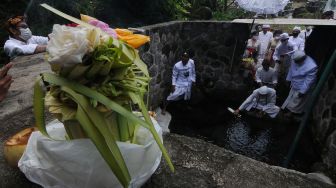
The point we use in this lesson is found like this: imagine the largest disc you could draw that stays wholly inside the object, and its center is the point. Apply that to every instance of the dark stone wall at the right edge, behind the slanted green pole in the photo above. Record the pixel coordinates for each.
(324, 125)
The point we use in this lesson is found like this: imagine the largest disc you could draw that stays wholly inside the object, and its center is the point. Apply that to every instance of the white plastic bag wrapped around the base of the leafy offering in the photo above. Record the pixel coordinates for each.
(77, 163)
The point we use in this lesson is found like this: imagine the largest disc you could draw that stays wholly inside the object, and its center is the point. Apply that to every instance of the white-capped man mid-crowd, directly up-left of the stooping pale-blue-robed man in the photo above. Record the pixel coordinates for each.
(283, 53)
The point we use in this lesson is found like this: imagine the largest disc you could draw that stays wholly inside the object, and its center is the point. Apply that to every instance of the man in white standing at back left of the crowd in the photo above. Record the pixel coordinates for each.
(265, 37)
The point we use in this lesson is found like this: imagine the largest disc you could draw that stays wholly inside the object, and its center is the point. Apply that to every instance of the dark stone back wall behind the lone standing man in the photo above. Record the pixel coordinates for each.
(216, 48)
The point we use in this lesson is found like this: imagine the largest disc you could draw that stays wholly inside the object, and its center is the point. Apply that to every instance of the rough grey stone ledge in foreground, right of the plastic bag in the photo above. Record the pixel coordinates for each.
(201, 164)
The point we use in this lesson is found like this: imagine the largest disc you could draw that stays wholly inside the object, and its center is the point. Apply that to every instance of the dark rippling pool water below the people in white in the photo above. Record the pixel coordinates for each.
(259, 139)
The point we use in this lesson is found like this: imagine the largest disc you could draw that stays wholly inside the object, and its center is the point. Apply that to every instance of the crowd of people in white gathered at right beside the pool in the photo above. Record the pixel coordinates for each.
(277, 54)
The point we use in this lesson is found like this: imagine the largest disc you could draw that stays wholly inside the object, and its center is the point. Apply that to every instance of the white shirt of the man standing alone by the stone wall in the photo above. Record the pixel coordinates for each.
(184, 75)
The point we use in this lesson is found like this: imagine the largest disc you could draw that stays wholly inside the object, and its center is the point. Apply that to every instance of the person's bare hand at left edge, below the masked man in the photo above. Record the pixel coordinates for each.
(5, 81)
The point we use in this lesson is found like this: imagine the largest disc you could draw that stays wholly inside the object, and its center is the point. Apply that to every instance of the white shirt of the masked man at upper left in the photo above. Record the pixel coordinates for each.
(14, 47)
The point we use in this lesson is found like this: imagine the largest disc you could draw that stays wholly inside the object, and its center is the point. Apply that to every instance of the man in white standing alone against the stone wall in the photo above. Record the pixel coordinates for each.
(183, 78)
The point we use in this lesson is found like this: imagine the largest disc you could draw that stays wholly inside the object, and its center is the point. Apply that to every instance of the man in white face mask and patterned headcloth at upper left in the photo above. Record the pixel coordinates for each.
(21, 41)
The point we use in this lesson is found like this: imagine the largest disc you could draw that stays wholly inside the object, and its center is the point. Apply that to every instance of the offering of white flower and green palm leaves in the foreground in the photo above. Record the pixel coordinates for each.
(97, 83)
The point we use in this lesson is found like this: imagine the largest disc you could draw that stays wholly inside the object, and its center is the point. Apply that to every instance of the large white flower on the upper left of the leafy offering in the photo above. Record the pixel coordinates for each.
(68, 45)
